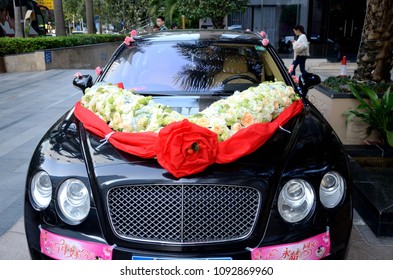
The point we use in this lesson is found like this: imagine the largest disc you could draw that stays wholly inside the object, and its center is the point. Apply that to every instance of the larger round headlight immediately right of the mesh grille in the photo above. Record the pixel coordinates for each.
(296, 200)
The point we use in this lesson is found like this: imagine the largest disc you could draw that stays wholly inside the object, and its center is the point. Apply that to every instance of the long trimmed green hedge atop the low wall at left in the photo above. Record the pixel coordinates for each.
(32, 44)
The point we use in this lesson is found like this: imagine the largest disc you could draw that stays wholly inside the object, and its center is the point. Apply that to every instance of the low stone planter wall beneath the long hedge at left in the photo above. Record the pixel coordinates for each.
(80, 57)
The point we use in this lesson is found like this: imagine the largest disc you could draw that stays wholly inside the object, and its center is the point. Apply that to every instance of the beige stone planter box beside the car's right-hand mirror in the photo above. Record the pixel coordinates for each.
(332, 105)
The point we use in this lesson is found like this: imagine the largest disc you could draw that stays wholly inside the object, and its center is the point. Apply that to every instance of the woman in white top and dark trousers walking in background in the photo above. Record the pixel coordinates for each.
(301, 51)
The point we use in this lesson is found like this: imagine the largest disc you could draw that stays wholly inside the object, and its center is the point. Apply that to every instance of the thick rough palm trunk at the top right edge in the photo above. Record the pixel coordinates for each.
(374, 61)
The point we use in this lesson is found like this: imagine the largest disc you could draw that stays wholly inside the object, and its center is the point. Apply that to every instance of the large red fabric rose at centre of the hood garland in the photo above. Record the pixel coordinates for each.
(184, 148)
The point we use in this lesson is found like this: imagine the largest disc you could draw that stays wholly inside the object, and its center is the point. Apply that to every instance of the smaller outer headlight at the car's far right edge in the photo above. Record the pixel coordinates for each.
(331, 190)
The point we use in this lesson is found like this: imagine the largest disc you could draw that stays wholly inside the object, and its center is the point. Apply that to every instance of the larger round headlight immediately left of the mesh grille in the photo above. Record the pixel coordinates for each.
(74, 201)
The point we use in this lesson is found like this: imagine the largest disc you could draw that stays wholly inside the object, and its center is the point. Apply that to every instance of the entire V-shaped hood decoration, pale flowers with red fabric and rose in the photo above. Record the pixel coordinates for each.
(225, 131)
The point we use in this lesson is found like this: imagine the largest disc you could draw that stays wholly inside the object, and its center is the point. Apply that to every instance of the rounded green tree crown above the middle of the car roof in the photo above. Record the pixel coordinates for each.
(216, 10)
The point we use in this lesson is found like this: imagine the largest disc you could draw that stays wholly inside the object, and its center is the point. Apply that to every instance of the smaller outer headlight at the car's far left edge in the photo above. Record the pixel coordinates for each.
(40, 190)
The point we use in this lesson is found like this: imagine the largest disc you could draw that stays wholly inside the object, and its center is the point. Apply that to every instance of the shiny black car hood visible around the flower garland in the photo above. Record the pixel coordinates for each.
(112, 166)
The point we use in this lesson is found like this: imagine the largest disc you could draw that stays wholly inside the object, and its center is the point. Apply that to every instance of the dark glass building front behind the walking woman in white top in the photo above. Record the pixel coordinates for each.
(333, 27)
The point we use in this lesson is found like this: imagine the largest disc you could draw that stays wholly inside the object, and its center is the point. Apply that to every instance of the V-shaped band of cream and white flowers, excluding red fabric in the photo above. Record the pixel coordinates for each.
(126, 111)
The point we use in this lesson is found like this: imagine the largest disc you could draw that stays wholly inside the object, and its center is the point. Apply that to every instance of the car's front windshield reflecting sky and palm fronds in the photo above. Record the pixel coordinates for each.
(175, 68)
